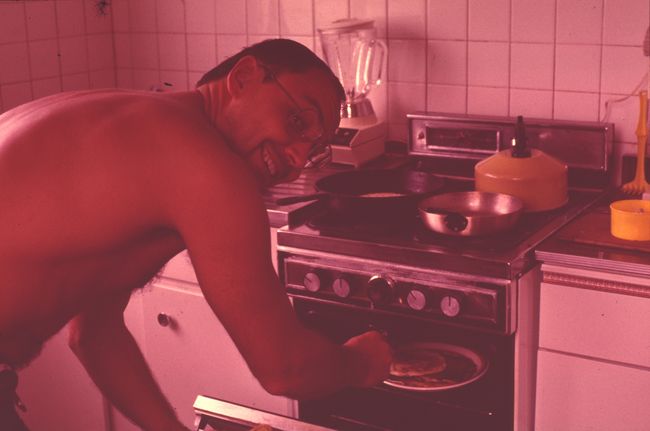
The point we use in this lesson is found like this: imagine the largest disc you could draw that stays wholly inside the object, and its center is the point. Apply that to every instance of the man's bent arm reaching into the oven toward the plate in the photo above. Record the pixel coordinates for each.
(223, 222)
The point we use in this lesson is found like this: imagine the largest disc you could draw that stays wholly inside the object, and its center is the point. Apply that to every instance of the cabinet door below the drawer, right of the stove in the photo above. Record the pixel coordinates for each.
(575, 393)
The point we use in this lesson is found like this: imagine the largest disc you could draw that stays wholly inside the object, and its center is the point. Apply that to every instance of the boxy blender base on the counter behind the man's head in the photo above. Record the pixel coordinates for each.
(359, 144)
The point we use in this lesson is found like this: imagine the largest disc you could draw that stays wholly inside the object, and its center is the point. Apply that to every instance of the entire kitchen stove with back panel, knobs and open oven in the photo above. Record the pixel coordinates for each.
(347, 273)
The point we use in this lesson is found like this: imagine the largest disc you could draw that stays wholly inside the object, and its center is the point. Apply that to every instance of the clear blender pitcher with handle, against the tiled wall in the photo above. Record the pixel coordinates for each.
(357, 57)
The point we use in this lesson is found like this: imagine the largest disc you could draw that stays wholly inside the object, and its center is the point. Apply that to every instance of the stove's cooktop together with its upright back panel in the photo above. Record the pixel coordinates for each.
(440, 144)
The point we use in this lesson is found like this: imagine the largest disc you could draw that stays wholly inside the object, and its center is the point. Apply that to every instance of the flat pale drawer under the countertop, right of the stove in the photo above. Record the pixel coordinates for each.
(594, 323)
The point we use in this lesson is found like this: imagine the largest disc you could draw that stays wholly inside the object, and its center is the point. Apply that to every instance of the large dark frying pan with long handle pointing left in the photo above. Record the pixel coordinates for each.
(372, 190)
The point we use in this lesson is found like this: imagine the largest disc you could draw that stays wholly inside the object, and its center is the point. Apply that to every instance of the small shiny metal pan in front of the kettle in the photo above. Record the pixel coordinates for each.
(470, 213)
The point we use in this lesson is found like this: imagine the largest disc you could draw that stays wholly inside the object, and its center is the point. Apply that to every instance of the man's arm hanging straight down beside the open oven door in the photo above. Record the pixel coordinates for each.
(106, 348)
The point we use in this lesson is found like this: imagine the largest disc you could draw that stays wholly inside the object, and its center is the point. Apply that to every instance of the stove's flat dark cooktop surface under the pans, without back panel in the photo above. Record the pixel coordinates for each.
(409, 242)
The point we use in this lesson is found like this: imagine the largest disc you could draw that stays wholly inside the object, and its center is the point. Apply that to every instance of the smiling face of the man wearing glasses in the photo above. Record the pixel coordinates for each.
(263, 123)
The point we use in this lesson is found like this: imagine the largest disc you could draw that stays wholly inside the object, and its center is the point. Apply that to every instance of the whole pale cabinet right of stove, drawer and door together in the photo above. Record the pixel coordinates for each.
(593, 370)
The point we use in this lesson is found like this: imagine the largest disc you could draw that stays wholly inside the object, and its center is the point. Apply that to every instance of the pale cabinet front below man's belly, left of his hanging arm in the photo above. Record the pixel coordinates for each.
(57, 391)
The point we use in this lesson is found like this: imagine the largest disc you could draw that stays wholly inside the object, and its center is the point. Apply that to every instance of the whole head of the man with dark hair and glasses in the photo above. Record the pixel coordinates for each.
(277, 102)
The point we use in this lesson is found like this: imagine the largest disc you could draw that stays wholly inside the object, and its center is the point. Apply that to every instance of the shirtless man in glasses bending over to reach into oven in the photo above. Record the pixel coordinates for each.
(99, 189)
